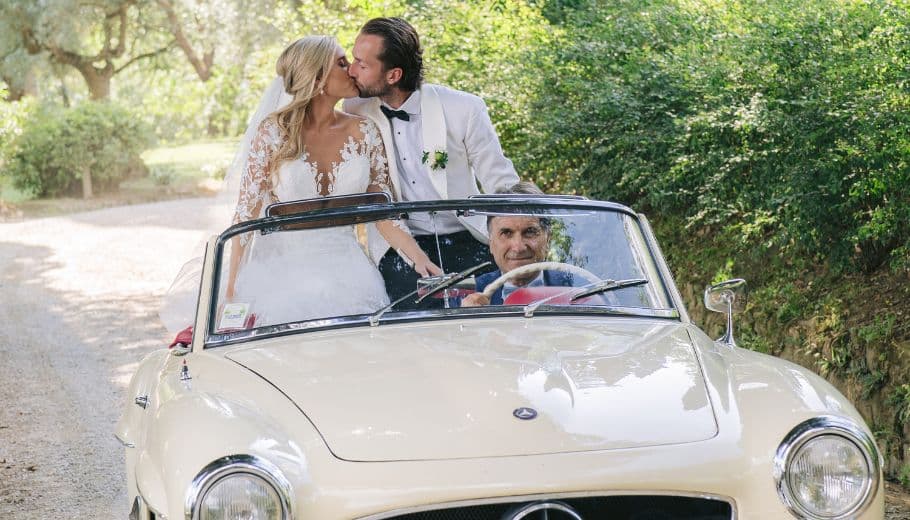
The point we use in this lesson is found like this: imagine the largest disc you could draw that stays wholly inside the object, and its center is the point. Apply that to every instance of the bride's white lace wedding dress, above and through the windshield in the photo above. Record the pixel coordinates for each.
(310, 274)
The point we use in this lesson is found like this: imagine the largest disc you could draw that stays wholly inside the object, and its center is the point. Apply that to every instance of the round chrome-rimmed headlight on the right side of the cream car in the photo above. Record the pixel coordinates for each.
(827, 468)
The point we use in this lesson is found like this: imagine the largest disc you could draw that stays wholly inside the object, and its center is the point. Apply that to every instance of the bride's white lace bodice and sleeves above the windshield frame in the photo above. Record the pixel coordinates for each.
(363, 167)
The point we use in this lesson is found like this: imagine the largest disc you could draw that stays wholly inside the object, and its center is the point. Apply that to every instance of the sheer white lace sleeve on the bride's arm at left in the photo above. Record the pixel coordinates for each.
(255, 183)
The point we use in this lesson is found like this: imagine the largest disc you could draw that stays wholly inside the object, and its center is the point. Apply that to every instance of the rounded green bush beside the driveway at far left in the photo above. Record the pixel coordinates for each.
(57, 147)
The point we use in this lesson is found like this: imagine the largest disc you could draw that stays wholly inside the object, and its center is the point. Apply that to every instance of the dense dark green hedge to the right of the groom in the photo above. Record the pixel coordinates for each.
(785, 122)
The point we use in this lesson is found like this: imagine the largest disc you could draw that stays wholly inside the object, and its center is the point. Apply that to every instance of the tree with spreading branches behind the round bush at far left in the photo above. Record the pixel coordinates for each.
(98, 38)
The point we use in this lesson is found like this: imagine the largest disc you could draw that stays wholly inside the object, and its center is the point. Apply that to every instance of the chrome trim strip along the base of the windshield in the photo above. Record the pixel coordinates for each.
(218, 340)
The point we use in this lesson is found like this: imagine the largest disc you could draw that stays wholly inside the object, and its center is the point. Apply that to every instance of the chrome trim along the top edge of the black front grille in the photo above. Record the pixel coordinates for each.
(552, 496)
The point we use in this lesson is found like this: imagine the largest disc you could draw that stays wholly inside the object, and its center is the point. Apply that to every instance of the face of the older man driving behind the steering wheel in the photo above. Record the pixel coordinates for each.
(518, 241)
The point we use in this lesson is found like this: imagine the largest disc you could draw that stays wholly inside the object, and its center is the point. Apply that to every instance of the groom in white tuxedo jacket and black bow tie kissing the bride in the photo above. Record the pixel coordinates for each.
(440, 144)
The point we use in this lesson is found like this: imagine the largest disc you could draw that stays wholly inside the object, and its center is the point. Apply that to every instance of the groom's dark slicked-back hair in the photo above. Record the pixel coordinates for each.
(400, 48)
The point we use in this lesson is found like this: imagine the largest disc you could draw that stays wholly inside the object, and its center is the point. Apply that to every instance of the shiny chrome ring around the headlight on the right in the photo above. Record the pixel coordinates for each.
(816, 427)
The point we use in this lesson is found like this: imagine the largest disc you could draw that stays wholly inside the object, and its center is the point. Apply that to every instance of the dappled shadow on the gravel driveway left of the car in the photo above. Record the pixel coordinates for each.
(65, 359)
